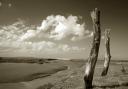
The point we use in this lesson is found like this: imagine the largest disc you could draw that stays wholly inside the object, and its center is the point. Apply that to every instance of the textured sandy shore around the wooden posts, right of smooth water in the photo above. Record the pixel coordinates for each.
(72, 77)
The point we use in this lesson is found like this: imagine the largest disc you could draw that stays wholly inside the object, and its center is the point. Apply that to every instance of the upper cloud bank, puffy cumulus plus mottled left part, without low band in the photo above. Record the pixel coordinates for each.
(53, 27)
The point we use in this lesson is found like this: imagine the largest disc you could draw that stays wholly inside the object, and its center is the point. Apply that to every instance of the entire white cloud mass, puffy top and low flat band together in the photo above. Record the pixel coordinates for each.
(19, 37)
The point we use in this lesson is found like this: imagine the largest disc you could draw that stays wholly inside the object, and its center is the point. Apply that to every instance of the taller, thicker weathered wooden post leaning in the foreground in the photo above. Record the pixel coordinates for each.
(90, 66)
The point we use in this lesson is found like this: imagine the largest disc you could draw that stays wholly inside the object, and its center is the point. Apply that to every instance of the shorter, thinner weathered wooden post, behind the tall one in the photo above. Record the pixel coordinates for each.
(107, 53)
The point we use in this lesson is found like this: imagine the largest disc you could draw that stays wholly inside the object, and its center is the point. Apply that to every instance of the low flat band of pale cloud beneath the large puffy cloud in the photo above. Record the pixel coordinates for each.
(43, 47)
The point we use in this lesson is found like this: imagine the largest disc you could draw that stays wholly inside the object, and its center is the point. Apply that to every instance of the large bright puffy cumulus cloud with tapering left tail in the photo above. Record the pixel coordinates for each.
(57, 28)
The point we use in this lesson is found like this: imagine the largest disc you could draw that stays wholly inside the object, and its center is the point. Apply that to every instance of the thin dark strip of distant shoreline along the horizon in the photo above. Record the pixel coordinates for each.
(44, 60)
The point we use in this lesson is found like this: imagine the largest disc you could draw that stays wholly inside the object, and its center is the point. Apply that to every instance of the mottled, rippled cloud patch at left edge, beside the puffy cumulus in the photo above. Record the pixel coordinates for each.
(14, 31)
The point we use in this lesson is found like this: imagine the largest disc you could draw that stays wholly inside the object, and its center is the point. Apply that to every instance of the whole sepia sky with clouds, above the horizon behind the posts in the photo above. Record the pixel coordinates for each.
(60, 28)
